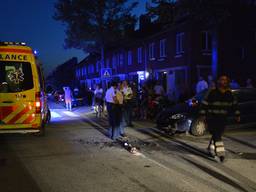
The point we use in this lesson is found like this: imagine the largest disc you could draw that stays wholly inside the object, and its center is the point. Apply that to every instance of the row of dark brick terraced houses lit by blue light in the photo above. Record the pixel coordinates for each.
(176, 55)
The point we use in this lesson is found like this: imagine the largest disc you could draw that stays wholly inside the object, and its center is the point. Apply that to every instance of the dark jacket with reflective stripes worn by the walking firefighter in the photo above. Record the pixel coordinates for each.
(219, 104)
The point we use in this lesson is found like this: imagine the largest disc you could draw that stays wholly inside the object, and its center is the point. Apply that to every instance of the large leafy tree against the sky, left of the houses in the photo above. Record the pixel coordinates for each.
(91, 25)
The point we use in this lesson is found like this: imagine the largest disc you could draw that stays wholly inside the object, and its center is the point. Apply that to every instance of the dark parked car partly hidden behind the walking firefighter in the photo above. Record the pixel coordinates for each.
(185, 116)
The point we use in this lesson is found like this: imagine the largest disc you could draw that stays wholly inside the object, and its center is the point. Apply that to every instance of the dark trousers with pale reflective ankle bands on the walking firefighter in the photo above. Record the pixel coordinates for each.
(216, 128)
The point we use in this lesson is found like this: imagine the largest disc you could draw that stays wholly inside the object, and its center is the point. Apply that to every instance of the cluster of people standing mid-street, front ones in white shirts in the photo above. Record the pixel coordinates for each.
(124, 101)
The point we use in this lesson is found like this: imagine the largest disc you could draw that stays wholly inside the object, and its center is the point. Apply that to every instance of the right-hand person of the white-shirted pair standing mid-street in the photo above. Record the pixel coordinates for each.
(128, 105)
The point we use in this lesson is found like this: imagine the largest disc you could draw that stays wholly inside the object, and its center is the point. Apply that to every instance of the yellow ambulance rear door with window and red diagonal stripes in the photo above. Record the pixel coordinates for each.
(17, 95)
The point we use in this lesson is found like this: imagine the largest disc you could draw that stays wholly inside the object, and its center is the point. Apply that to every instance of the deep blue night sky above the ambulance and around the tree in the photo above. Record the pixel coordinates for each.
(31, 21)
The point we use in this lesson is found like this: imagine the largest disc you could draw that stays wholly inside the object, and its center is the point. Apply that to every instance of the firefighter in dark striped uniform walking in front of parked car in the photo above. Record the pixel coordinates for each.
(216, 106)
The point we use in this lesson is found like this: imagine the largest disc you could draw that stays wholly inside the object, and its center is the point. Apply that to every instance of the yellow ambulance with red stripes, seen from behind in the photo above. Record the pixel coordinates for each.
(23, 102)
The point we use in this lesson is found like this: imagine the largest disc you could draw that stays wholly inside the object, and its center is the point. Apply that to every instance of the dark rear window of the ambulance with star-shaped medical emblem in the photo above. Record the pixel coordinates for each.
(15, 77)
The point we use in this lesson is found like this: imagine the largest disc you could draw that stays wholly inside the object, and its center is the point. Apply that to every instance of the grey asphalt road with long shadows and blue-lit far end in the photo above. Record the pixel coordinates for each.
(76, 155)
